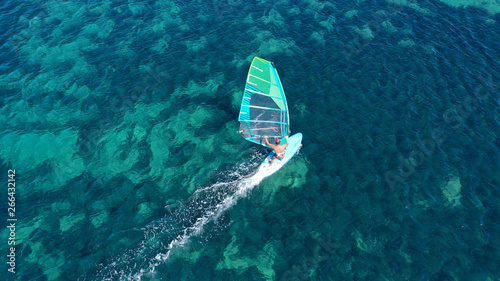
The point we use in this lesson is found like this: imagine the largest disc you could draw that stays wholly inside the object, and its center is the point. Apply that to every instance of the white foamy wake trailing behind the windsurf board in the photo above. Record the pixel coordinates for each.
(206, 205)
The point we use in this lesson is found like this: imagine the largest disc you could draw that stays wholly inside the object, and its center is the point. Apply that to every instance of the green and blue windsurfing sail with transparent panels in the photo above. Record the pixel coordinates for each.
(264, 111)
